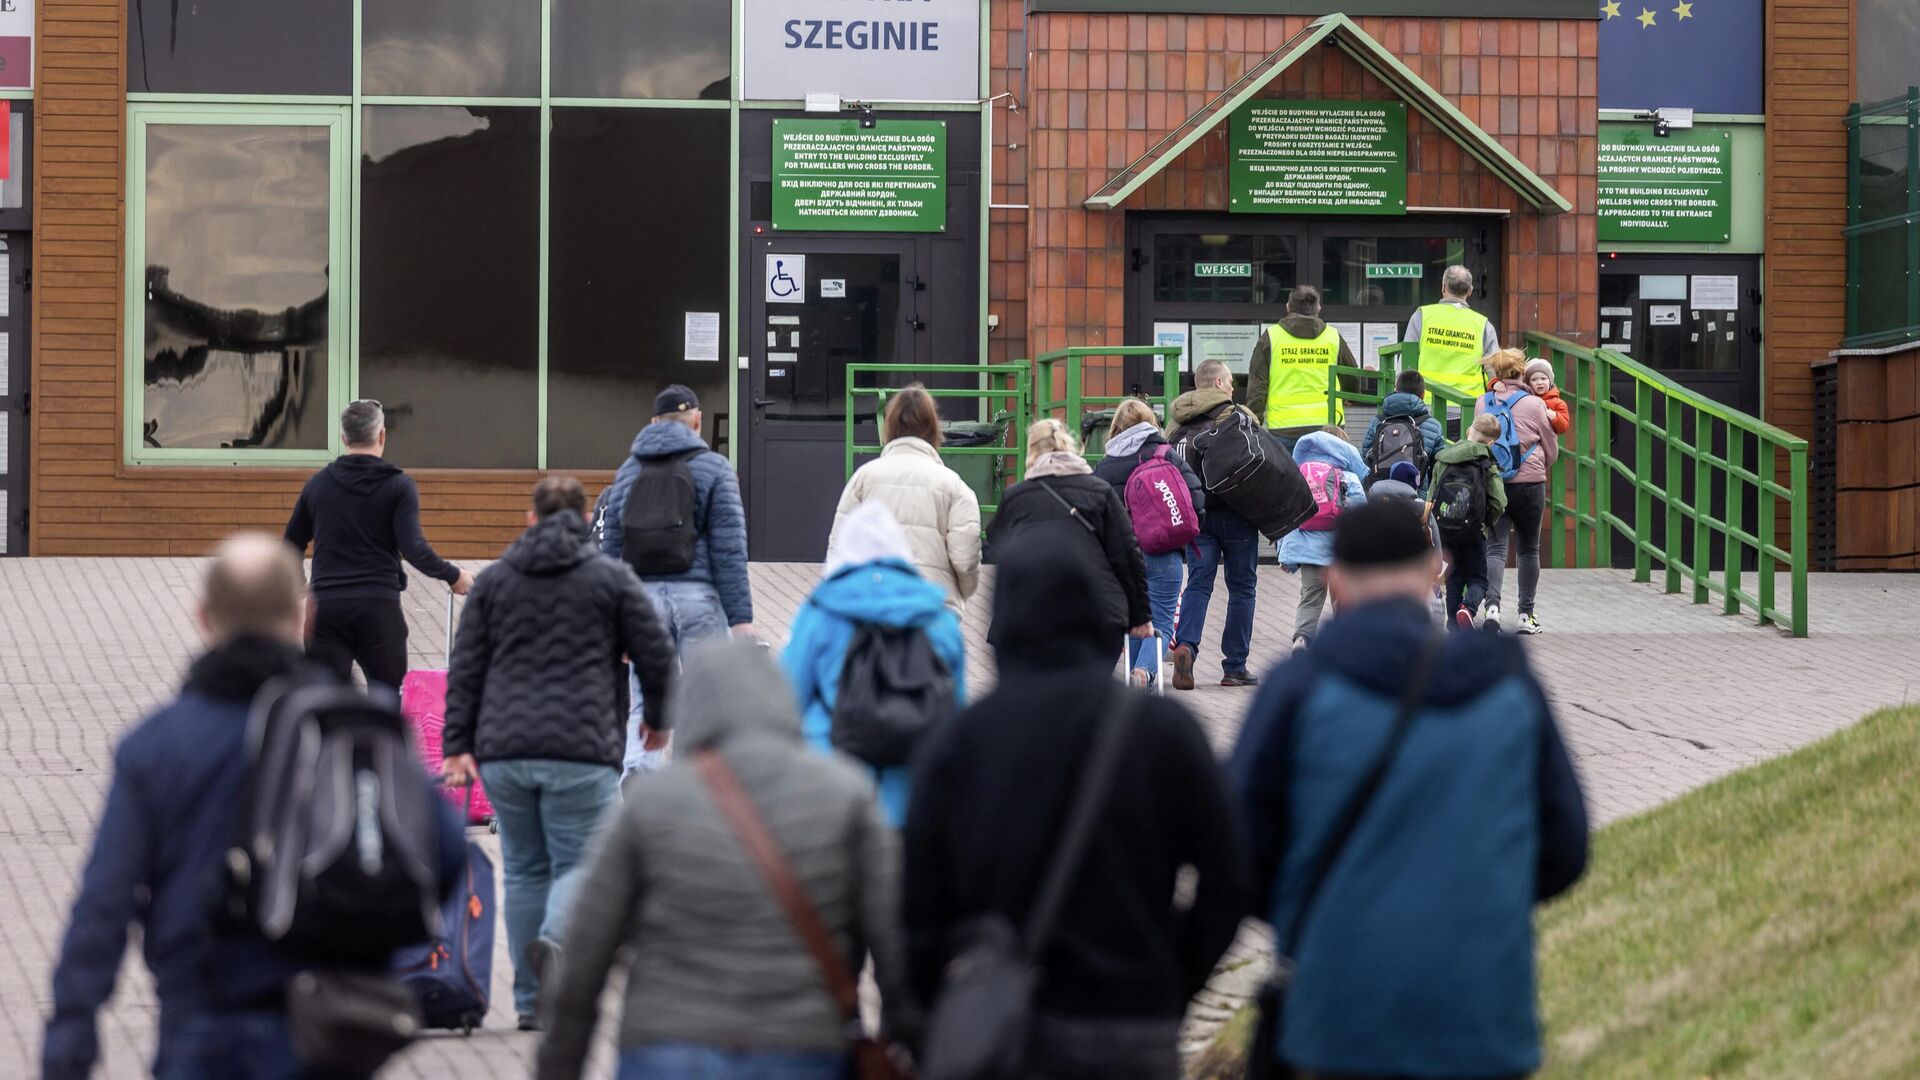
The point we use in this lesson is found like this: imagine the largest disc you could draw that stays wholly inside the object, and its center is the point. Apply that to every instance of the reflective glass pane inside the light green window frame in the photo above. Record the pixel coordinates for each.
(237, 282)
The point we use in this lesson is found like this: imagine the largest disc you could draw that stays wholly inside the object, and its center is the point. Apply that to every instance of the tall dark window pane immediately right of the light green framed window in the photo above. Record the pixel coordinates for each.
(450, 285)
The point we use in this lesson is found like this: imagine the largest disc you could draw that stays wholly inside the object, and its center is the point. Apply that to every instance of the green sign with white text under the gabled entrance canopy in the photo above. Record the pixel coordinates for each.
(1320, 159)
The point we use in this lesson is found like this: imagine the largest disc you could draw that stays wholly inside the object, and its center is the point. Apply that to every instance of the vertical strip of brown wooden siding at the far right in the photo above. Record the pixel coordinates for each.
(1810, 87)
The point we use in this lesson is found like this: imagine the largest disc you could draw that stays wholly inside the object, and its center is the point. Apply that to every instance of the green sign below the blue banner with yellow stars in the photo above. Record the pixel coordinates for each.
(1666, 189)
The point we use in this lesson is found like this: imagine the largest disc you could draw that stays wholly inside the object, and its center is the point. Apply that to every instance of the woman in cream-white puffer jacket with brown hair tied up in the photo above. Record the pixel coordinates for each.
(938, 510)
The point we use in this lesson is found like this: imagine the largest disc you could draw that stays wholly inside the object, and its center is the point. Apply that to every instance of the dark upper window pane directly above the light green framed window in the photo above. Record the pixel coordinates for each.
(241, 47)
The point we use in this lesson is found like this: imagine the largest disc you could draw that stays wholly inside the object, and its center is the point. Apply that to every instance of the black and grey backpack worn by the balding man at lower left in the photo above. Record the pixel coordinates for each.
(339, 835)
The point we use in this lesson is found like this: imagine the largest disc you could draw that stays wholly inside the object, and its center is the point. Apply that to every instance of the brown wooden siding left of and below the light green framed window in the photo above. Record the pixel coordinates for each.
(84, 501)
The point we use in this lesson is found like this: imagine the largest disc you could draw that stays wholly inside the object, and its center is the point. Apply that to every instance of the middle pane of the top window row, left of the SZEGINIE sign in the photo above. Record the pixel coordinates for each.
(454, 49)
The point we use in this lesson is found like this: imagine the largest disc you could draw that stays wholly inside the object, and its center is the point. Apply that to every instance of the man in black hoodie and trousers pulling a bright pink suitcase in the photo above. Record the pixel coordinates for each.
(362, 516)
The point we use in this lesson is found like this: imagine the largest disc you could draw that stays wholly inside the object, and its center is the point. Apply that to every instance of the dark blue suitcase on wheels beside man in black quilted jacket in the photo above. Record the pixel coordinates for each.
(454, 975)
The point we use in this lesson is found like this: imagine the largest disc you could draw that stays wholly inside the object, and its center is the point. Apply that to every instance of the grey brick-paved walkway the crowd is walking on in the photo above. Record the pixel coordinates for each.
(1656, 699)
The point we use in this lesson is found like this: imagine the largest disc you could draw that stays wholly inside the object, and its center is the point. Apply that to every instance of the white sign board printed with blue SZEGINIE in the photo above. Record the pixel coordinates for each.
(921, 51)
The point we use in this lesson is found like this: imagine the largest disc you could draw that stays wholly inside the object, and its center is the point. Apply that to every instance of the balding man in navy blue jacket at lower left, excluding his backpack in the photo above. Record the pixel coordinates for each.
(162, 843)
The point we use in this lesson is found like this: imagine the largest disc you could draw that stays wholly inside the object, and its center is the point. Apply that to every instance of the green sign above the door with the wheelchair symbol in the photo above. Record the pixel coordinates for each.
(834, 176)
